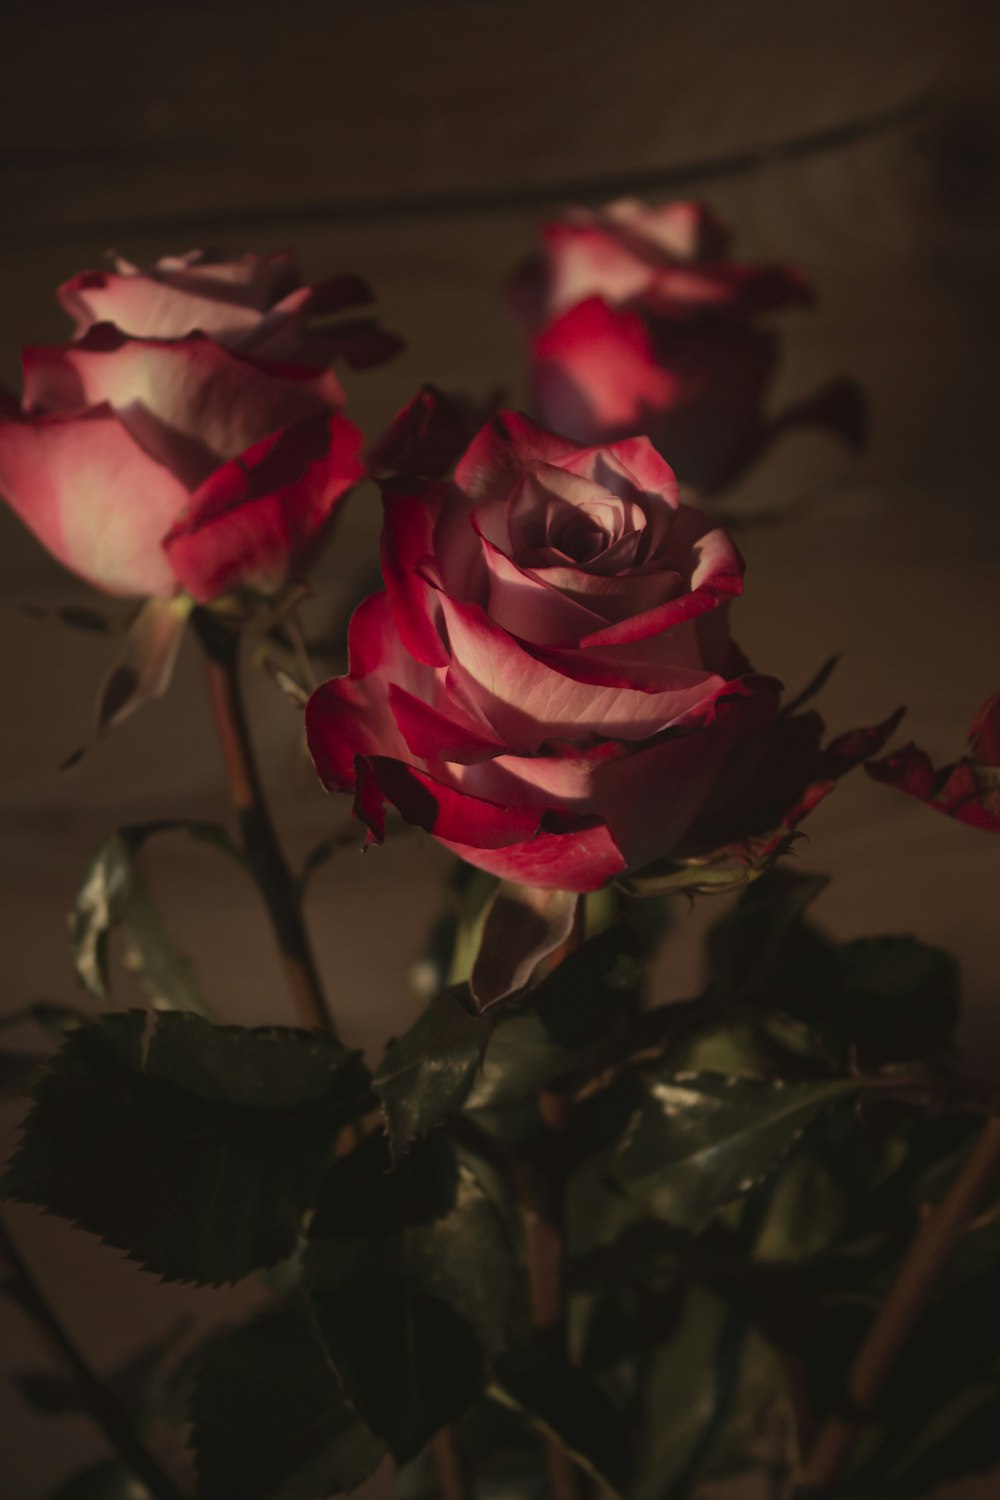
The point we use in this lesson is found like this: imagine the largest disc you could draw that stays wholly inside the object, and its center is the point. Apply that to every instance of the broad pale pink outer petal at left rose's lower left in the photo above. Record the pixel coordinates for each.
(94, 497)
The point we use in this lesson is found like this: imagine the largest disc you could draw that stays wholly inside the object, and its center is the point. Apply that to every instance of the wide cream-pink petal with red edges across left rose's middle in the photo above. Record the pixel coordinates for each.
(190, 403)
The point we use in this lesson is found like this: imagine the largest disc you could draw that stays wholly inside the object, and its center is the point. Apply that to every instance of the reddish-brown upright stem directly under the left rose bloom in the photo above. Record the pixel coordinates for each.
(260, 841)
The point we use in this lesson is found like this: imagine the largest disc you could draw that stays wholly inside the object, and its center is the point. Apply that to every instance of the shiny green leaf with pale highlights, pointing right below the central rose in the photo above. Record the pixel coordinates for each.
(689, 1145)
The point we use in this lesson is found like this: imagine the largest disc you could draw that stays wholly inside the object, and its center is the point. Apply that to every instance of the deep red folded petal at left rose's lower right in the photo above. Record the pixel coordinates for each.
(259, 521)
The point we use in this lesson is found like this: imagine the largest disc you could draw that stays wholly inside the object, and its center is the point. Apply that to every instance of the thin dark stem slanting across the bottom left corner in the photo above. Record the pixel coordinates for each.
(95, 1396)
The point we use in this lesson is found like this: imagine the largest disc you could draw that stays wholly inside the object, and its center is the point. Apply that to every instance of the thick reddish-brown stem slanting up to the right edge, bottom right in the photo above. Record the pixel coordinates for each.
(936, 1241)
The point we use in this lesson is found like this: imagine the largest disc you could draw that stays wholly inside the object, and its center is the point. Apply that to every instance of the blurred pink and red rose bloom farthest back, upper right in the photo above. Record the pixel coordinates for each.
(639, 322)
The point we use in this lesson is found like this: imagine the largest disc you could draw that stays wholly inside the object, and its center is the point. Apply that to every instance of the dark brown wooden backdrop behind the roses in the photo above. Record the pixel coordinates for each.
(353, 133)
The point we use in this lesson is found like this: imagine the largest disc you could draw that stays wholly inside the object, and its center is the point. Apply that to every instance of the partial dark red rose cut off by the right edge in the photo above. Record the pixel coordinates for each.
(968, 790)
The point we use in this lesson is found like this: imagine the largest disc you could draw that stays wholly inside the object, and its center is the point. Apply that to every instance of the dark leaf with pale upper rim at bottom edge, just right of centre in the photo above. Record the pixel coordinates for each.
(567, 1405)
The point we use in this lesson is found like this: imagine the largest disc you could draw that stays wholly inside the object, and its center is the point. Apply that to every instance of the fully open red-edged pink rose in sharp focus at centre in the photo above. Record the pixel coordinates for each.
(548, 682)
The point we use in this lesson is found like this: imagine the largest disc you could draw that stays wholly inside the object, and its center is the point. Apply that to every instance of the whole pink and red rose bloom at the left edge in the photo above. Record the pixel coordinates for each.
(164, 419)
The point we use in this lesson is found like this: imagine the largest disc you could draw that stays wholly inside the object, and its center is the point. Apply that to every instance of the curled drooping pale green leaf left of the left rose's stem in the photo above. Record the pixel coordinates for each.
(116, 896)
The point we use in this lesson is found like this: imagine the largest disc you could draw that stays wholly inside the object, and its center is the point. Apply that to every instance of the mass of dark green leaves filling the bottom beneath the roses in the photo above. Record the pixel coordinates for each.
(746, 1172)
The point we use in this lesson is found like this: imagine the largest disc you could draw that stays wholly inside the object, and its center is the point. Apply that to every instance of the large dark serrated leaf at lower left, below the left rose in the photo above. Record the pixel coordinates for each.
(197, 1150)
